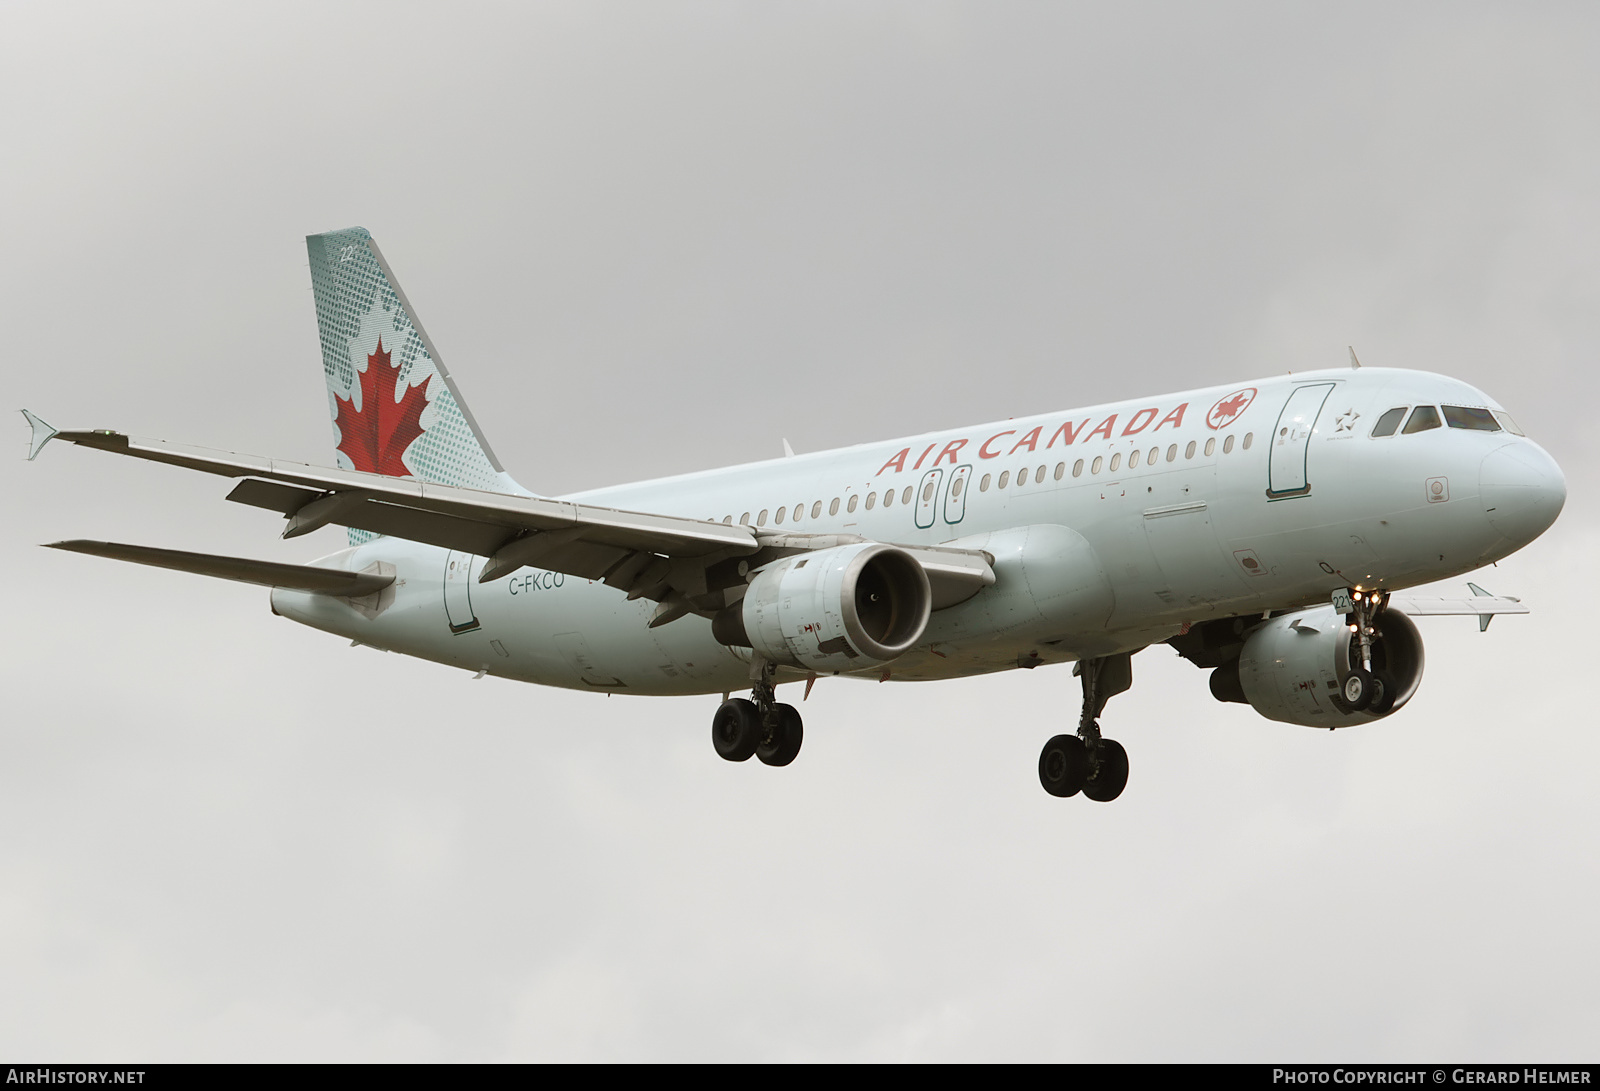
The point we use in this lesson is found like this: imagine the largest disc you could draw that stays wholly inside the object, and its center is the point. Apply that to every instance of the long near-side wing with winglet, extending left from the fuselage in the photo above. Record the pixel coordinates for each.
(687, 565)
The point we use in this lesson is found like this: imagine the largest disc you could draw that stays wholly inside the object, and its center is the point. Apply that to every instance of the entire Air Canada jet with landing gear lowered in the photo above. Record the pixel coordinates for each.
(1266, 530)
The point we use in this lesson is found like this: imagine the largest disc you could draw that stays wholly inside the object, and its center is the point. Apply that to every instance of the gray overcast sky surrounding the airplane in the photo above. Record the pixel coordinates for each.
(662, 238)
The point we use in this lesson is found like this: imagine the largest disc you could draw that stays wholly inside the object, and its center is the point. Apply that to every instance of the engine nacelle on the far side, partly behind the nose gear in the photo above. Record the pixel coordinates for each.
(1294, 668)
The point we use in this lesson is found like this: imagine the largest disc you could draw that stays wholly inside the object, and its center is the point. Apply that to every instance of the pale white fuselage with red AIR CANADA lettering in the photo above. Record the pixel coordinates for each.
(1191, 506)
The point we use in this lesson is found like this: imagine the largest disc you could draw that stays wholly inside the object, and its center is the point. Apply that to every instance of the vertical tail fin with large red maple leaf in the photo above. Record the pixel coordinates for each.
(394, 407)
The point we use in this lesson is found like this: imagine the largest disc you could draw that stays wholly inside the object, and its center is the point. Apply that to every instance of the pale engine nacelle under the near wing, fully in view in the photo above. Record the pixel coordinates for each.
(839, 609)
